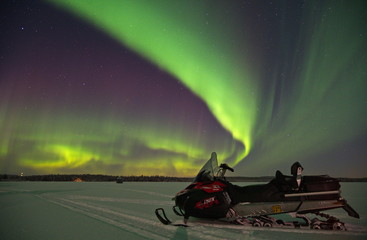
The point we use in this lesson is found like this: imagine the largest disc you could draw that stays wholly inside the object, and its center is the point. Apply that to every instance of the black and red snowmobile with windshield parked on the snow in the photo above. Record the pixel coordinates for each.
(211, 196)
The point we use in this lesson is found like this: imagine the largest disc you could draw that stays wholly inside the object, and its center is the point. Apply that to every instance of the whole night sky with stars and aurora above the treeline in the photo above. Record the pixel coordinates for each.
(153, 87)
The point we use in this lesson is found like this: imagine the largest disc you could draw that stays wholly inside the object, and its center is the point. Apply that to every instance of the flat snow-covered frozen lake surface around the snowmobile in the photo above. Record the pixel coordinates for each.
(70, 210)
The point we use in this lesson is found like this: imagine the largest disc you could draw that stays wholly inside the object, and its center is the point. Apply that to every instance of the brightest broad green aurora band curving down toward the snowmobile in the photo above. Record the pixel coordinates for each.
(170, 34)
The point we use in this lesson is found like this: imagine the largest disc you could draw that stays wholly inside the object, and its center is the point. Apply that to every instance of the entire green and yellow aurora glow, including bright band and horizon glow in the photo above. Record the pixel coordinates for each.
(306, 101)
